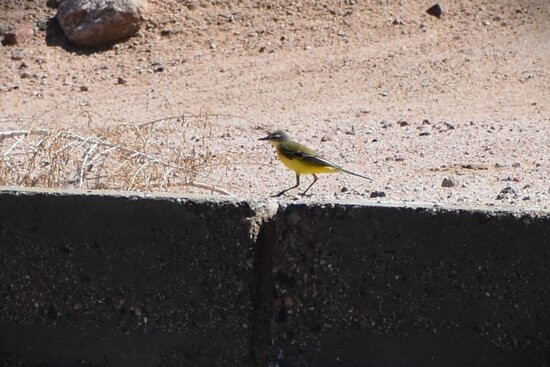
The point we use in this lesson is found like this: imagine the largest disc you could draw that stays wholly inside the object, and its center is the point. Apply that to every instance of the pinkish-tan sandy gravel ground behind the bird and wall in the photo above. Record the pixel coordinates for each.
(403, 97)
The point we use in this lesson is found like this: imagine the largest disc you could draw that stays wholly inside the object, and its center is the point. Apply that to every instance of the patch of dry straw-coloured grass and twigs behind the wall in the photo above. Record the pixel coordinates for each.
(167, 154)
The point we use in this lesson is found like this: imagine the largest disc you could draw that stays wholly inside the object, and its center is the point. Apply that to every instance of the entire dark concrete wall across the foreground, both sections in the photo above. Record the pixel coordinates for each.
(110, 280)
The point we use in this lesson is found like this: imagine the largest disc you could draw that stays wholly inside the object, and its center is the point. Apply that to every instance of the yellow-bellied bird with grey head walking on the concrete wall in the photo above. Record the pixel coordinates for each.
(302, 160)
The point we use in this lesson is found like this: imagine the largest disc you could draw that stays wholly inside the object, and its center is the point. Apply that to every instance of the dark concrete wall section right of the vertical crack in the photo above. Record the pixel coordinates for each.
(389, 286)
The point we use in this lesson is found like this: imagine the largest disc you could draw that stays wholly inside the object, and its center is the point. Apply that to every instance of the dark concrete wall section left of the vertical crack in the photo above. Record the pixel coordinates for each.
(122, 281)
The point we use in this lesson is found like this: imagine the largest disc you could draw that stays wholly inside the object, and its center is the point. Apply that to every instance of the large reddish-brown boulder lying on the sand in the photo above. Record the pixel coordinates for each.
(94, 23)
